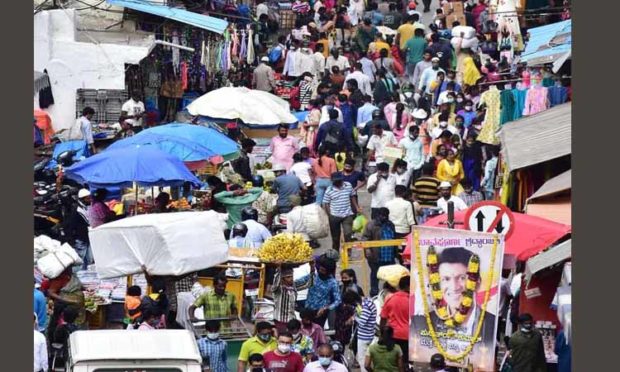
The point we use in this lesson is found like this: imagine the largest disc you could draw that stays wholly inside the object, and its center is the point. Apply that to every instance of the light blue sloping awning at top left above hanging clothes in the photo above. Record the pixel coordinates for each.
(213, 24)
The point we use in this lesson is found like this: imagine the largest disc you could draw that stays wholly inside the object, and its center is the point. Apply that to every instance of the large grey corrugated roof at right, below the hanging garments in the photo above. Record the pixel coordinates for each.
(537, 138)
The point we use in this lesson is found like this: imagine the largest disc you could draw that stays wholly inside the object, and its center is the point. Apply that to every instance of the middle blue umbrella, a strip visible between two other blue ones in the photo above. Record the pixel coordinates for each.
(180, 147)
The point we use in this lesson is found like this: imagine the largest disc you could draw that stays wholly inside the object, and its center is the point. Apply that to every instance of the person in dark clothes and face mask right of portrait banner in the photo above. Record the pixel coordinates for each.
(527, 352)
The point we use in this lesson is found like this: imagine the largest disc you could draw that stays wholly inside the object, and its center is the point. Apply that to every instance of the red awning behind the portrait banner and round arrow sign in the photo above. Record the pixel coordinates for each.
(531, 234)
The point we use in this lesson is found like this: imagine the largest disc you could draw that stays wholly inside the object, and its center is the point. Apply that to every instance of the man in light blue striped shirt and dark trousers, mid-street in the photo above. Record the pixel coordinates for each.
(338, 202)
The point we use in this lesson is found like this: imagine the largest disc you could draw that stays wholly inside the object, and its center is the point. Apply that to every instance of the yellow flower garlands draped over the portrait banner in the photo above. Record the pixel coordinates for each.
(474, 266)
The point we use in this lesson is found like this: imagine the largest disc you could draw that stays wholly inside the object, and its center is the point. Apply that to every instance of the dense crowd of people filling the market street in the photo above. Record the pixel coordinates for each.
(401, 110)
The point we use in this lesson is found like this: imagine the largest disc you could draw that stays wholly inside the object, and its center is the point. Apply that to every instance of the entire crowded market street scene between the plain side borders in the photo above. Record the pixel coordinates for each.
(302, 186)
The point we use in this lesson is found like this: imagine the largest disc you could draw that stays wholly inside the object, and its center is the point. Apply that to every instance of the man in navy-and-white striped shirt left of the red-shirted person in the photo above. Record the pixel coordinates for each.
(366, 319)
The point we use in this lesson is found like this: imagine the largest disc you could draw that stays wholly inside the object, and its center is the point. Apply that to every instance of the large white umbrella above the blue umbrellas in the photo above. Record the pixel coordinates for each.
(254, 107)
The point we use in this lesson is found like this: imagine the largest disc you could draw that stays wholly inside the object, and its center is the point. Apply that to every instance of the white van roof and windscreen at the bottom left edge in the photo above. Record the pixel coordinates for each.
(133, 351)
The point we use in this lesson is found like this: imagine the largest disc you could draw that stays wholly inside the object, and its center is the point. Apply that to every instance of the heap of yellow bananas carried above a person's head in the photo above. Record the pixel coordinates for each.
(285, 248)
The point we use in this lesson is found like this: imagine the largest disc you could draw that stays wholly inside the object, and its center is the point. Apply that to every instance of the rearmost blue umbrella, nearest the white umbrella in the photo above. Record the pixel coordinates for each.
(207, 137)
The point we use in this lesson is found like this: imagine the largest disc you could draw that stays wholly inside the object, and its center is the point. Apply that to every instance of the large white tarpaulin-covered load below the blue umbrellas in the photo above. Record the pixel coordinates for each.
(166, 244)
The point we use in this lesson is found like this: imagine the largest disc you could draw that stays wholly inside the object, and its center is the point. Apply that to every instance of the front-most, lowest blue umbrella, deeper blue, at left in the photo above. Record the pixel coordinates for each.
(143, 165)
